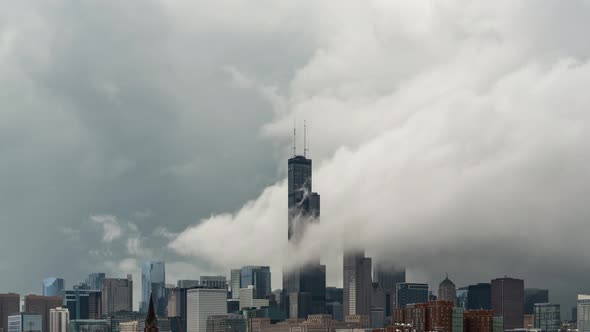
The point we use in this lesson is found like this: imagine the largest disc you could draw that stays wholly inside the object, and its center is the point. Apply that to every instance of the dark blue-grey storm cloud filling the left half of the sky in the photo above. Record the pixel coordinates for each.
(124, 112)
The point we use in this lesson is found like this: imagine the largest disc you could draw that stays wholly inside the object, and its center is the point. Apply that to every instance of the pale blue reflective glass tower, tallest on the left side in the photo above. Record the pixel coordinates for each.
(153, 281)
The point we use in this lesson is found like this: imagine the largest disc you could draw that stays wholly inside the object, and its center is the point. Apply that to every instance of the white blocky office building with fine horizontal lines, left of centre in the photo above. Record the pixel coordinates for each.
(202, 303)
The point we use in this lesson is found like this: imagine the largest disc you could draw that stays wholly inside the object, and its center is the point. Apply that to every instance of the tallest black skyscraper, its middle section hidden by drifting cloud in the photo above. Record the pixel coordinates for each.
(304, 208)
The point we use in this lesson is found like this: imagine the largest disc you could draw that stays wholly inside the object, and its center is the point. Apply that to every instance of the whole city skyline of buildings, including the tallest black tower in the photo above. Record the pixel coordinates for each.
(373, 297)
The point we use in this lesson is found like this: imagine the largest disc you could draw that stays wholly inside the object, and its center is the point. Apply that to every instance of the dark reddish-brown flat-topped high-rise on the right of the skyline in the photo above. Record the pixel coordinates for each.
(508, 301)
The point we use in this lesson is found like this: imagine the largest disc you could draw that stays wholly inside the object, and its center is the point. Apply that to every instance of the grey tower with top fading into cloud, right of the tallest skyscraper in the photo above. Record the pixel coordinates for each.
(357, 283)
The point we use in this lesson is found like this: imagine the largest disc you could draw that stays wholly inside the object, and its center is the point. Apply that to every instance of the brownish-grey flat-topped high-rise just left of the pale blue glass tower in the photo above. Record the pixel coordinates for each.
(117, 295)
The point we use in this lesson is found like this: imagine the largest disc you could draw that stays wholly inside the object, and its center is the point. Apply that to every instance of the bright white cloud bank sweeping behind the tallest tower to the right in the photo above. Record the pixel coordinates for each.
(445, 137)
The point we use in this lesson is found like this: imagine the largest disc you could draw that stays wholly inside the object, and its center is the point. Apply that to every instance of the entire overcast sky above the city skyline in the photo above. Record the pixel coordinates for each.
(446, 136)
